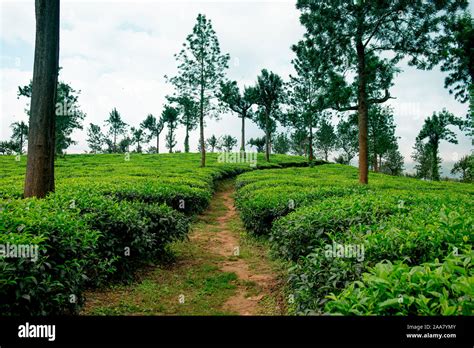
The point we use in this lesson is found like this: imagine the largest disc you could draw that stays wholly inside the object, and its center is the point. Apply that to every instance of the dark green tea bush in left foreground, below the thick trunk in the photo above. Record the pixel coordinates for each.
(53, 283)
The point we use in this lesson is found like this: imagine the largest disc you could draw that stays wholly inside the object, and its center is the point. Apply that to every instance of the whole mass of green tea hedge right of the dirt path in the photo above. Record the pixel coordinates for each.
(396, 224)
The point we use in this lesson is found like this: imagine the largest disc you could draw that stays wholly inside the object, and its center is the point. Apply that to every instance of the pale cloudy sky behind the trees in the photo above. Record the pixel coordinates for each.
(118, 52)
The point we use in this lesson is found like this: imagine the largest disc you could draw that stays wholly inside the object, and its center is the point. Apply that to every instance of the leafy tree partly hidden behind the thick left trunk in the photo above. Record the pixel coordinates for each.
(68, 115)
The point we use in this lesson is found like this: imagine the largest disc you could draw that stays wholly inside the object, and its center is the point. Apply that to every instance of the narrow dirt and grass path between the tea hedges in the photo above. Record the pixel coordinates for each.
(218, 271)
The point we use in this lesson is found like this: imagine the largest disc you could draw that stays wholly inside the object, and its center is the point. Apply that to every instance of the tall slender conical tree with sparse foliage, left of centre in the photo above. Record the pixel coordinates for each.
(200, 72)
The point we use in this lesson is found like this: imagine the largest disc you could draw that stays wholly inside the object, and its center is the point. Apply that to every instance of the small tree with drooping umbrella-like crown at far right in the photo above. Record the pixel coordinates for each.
(436, 129)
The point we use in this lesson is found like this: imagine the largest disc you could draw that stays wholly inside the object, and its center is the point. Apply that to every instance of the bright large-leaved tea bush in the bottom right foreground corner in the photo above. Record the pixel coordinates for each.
(434, 288)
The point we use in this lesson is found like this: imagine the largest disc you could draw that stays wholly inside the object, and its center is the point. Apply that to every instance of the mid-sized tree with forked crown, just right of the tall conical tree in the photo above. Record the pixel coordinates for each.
(240, 103)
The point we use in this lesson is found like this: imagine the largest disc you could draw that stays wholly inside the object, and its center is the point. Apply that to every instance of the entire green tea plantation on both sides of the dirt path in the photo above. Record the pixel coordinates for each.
(398, 246)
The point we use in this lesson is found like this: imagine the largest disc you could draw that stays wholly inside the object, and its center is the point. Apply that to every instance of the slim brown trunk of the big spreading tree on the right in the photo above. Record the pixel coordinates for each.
(363, 115)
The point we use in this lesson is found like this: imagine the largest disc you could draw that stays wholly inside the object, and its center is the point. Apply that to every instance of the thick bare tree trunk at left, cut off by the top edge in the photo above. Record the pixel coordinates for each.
(39, 178)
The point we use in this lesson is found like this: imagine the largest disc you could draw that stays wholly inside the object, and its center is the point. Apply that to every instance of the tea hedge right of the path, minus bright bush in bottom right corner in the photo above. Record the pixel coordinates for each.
(393, 219)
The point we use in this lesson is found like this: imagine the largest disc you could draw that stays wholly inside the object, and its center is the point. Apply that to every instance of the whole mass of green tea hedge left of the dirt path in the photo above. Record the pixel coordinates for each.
(109, 216)
